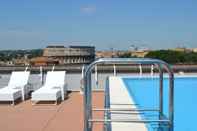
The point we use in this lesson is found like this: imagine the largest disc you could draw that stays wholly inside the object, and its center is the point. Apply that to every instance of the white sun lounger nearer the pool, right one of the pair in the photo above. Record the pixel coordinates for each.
(53, 89)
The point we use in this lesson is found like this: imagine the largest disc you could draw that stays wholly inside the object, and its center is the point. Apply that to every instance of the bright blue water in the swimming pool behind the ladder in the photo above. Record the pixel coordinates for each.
(145, 92)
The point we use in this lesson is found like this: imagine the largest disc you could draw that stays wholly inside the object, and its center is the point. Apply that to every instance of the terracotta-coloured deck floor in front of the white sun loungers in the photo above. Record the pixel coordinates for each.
(66, 116)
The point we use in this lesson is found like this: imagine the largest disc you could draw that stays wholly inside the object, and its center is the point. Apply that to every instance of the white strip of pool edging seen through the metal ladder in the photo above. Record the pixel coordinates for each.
(120, 98)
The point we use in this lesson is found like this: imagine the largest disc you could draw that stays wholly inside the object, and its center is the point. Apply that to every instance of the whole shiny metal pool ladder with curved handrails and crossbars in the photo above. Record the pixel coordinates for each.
(88, 110)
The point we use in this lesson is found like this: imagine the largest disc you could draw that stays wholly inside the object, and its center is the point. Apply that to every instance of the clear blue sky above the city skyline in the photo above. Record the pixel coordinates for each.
(105, 24)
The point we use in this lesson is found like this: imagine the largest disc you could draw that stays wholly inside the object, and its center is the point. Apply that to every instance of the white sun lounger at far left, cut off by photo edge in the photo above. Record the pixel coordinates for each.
(16, 88)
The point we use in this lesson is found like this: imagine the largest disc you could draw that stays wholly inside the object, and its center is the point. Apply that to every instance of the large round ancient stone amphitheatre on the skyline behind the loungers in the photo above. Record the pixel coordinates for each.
(71, 54)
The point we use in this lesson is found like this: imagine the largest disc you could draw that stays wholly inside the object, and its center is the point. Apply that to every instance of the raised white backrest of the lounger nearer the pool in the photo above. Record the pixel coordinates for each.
(55, 78)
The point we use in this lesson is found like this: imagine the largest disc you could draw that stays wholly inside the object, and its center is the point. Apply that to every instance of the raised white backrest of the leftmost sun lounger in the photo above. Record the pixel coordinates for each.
(19, 78)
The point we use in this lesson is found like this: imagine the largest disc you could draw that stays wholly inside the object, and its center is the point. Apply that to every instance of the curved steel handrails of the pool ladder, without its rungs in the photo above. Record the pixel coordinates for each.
(161, 65)
